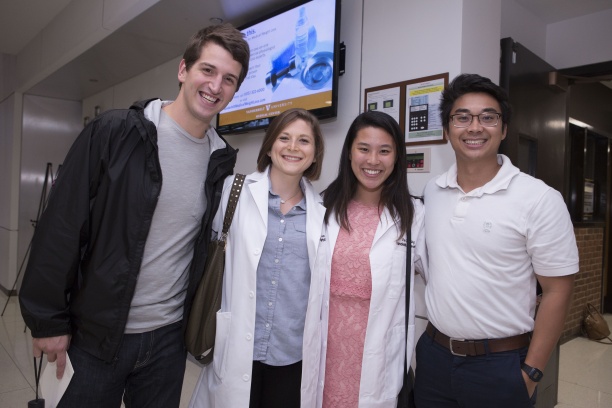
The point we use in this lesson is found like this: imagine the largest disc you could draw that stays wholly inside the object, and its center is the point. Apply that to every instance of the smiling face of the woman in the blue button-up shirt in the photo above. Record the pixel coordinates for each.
(293, 150)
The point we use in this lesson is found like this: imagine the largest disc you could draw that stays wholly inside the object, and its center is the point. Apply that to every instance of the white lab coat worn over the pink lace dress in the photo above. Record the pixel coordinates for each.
(383, 355)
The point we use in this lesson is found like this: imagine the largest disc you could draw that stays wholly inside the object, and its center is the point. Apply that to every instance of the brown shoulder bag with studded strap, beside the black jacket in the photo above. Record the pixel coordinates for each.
(202, 323)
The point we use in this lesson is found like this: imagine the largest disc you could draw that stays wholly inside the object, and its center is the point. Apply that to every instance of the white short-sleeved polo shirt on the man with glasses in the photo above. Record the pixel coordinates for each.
(484, 247)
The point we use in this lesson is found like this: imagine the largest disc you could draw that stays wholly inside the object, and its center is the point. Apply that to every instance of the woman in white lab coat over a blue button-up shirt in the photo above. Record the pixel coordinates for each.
(274, 277)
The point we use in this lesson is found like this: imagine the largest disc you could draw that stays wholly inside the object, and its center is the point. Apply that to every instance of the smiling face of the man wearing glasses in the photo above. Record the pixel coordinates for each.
(476, 143)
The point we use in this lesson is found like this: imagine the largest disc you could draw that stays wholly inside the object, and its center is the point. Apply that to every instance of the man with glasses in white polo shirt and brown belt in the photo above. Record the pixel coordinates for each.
(492, 232)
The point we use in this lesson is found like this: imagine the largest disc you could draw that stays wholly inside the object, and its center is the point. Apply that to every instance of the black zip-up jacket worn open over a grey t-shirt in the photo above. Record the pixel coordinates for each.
(88, 245)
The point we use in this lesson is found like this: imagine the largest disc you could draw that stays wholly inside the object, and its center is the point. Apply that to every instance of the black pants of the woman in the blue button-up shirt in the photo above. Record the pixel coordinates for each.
(276, 387)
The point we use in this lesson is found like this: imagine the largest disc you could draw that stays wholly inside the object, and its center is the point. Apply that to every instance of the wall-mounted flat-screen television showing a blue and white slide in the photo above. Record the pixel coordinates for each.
(294, 63)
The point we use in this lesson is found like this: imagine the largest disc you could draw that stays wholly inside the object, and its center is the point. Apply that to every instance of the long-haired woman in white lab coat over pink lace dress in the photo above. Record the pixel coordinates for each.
(369, 213)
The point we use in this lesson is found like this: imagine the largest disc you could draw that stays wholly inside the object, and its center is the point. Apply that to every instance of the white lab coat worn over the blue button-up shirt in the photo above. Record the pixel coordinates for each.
(226, 382)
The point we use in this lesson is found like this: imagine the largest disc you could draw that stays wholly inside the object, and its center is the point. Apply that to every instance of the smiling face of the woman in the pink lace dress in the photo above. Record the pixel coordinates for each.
(372, 158)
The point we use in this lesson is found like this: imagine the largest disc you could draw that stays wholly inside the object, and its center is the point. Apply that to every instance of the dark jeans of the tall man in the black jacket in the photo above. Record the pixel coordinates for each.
(148, 372)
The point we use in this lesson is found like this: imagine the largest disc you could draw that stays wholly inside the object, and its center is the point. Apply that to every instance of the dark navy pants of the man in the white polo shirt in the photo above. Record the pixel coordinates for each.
(443, 380)
